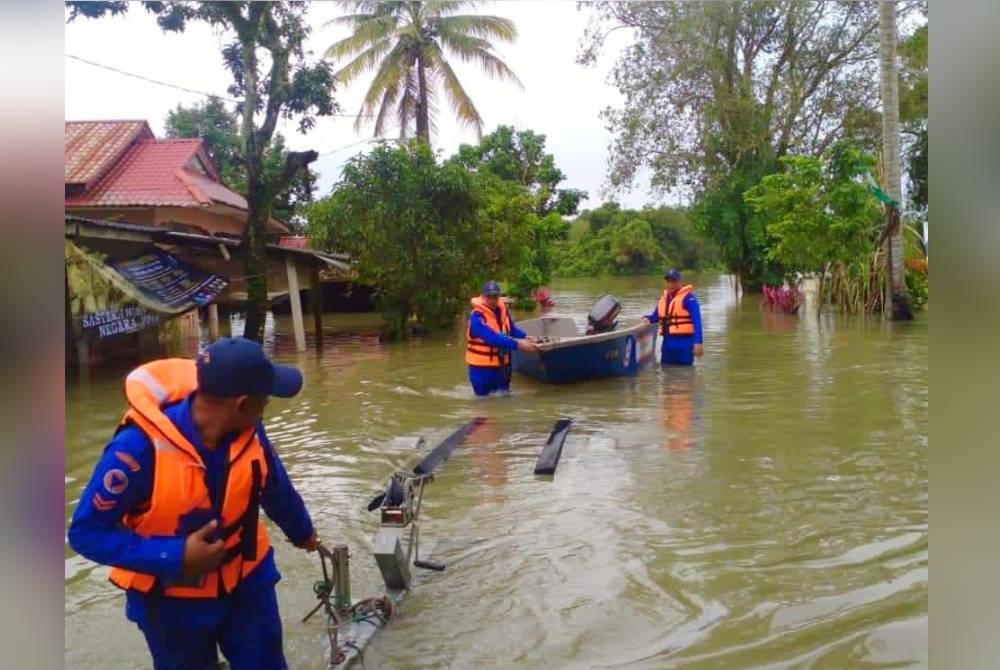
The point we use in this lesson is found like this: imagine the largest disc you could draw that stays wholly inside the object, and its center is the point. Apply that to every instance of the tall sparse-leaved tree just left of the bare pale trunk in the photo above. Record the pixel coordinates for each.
(715, 93)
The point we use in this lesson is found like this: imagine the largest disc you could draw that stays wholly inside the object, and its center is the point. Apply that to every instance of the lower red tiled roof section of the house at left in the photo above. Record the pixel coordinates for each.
(157, 173)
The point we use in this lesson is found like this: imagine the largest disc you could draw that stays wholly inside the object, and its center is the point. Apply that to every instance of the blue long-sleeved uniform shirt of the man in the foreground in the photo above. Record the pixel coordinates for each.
(122, 482)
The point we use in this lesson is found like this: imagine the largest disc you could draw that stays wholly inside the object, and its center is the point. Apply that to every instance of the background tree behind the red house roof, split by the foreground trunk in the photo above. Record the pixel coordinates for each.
(218, 129)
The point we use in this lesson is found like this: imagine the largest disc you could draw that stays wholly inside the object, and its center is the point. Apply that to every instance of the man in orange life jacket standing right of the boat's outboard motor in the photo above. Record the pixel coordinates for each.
(679, 316)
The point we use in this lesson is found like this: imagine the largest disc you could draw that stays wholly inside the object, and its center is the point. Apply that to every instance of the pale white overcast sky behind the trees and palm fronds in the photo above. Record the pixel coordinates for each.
(560, 99)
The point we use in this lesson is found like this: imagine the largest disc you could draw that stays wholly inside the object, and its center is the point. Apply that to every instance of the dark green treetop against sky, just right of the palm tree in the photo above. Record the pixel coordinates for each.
(520, 157)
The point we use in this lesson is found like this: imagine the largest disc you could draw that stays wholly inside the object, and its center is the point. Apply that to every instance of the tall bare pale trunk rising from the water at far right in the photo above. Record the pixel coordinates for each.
(896, 285)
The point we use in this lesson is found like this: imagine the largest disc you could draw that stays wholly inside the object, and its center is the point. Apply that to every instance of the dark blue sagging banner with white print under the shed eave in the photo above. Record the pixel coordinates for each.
(166, 283)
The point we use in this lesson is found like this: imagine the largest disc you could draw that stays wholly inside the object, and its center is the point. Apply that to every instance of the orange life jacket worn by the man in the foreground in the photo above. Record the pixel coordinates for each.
(179, 485)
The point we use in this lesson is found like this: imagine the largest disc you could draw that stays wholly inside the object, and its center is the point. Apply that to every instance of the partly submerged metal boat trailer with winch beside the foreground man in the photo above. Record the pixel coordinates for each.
(352, 625)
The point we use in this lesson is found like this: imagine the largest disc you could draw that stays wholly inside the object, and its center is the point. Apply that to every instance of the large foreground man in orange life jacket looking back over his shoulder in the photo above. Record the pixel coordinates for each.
(173, 506)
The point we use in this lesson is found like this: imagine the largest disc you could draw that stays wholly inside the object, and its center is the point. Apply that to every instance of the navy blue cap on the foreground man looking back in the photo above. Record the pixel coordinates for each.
(236, 366)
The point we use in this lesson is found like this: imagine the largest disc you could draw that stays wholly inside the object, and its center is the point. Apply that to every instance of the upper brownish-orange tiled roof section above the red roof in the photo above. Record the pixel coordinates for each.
(93, 147)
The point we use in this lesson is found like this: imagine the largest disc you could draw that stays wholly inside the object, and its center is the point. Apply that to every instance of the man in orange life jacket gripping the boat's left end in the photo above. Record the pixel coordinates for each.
(490, 336)
